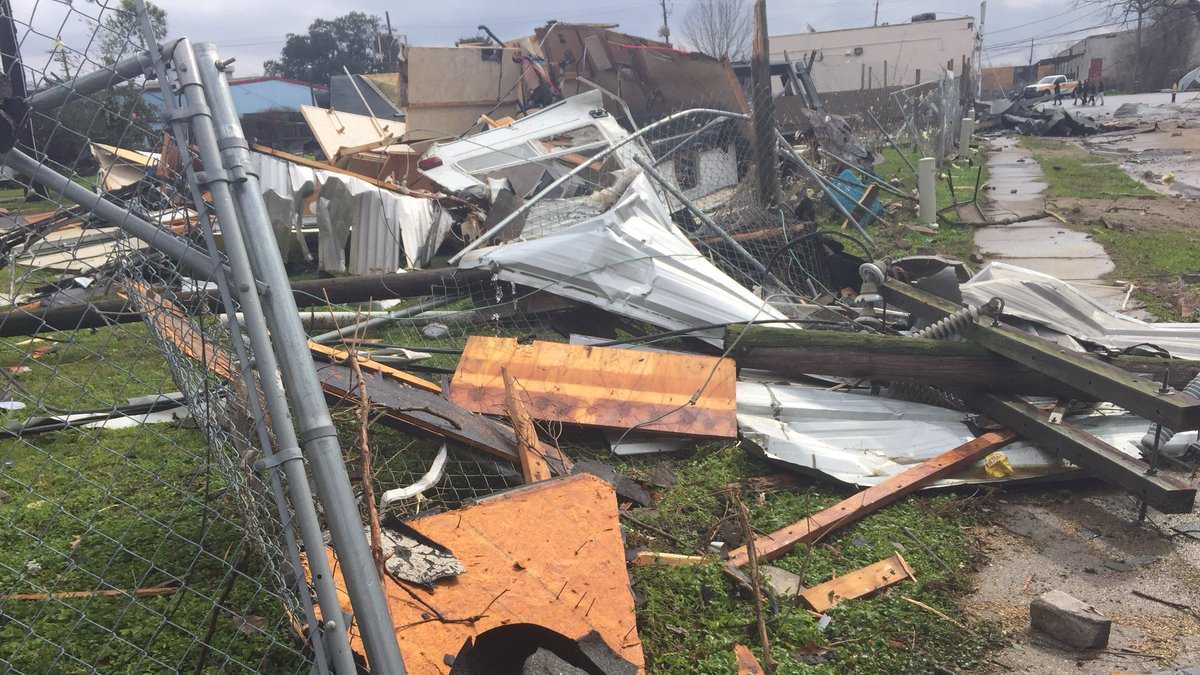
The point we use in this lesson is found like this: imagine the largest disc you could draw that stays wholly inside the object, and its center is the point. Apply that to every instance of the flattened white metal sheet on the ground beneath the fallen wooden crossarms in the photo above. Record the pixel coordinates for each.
(865, 440)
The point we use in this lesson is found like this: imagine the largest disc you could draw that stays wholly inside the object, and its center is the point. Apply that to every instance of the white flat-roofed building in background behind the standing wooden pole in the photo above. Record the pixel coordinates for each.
(886, 56)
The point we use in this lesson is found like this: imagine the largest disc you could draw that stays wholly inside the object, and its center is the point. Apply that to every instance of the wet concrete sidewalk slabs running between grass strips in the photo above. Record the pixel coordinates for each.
(1045, 244)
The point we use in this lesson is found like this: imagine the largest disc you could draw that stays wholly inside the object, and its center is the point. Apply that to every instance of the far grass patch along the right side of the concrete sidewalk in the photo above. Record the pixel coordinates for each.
(1073, 172)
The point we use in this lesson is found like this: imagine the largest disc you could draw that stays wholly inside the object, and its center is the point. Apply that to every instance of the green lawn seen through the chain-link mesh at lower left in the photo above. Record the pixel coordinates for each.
(121, 510)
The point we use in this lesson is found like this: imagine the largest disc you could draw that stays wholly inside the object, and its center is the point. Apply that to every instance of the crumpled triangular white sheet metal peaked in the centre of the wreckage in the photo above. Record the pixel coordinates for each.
(634, 262)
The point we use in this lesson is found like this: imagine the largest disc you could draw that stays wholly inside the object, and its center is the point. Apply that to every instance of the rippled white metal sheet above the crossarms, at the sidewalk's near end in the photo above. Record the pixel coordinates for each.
(1053, 303)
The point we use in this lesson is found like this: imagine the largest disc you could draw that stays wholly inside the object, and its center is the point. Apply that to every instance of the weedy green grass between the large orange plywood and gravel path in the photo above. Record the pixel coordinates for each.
(692, 618)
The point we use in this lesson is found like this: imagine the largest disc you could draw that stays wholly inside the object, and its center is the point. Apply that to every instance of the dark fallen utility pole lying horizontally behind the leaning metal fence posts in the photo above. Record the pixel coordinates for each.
(308, 294)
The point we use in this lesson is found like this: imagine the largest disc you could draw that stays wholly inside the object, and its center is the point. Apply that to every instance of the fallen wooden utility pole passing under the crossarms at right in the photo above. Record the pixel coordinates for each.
(940, 363)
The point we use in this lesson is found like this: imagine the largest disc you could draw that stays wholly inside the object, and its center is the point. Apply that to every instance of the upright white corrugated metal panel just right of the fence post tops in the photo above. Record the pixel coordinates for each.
(382, 223)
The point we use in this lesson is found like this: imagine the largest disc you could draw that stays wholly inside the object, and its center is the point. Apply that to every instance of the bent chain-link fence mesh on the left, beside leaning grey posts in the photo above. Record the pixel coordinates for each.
(146, 524)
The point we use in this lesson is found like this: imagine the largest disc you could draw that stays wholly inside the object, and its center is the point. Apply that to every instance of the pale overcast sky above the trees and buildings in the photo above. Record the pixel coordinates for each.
(255, 31)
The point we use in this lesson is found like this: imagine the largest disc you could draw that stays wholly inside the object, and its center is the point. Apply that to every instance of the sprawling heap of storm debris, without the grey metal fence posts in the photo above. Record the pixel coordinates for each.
(747, 322)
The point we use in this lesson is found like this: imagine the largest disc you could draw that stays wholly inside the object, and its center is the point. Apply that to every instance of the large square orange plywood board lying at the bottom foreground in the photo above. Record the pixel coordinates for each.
(548, 554)
